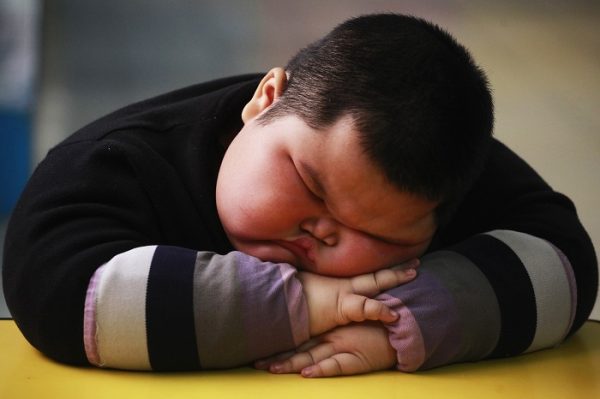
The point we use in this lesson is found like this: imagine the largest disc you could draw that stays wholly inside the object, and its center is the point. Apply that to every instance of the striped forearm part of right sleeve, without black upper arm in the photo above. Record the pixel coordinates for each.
(497, 294)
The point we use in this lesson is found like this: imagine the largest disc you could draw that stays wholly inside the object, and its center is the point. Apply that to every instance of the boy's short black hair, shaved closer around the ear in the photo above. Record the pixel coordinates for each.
(421, 105)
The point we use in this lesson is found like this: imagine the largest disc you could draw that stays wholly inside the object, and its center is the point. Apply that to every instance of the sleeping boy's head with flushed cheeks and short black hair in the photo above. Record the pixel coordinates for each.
(351, 157)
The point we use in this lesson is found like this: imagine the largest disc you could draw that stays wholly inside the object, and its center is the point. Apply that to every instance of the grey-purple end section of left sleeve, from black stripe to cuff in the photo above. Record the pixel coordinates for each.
(245, 309)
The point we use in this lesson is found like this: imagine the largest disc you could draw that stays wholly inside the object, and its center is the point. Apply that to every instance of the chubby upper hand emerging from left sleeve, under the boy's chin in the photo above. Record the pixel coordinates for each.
(338, 301)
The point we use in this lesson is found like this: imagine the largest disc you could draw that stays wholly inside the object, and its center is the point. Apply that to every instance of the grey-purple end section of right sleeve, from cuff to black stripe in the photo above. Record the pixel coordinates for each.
(454, 307)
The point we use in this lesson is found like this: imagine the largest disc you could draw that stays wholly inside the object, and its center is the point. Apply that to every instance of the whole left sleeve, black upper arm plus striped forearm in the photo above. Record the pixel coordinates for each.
(109, 259)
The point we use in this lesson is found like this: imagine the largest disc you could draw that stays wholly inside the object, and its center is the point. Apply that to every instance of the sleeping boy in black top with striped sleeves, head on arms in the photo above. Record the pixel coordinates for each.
(167, 235)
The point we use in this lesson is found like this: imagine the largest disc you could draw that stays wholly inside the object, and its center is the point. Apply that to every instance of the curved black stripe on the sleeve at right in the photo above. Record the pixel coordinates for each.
(513, 288)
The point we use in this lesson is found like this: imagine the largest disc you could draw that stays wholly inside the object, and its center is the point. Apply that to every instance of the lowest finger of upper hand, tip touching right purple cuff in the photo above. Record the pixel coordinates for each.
(359, 308)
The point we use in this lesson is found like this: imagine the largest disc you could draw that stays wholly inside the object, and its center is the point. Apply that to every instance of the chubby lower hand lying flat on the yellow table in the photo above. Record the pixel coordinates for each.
(353, 349)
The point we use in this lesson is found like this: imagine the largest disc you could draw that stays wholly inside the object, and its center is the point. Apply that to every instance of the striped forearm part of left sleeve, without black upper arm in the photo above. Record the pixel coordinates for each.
(169, 308)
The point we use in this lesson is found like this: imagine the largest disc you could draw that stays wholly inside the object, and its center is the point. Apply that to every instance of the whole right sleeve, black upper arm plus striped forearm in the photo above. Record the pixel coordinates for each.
(514, 273)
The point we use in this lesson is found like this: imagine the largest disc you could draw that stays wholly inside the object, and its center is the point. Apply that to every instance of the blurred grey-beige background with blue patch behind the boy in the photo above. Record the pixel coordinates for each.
(64, 63)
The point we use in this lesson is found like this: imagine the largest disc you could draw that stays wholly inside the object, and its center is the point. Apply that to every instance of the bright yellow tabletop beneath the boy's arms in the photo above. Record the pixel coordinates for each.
(570, 371)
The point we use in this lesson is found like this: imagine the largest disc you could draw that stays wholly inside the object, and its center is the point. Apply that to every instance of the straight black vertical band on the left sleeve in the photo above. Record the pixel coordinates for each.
(169, 310)
